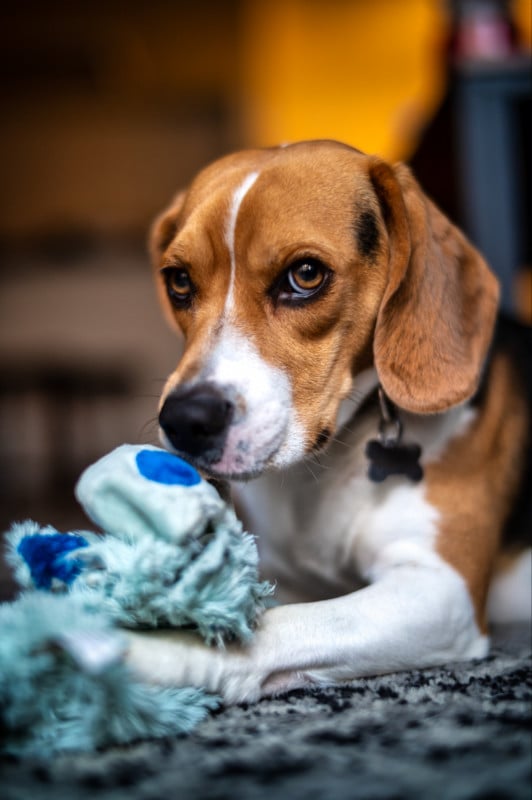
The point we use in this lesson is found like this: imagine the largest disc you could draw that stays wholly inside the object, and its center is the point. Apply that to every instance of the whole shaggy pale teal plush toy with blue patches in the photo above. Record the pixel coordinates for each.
(172, 553)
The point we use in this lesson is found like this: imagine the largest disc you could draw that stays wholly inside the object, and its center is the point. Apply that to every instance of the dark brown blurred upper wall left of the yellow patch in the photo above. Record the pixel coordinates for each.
(108, 107)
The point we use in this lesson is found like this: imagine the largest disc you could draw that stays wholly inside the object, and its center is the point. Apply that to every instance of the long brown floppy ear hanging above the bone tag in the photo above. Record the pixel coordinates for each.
(437, 314)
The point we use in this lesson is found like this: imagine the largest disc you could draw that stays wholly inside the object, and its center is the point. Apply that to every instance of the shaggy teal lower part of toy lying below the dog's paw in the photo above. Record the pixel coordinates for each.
(64, 685)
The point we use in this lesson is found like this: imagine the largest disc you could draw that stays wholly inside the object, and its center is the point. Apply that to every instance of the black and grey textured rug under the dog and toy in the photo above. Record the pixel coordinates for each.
(457, 732)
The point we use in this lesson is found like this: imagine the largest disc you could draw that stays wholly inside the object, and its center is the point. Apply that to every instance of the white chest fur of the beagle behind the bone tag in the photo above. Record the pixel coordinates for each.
(325, 529)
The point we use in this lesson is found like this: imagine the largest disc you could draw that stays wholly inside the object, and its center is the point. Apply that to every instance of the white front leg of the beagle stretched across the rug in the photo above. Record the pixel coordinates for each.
(413, 616)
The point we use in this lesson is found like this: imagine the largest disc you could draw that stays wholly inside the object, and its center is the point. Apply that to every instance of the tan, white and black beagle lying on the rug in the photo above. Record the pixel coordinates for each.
(341, 369)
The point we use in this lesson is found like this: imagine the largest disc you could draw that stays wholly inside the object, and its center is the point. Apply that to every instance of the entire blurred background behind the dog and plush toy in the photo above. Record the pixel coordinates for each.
(107, 108)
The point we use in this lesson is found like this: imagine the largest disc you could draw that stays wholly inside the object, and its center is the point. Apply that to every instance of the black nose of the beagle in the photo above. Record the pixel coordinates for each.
(196, 420)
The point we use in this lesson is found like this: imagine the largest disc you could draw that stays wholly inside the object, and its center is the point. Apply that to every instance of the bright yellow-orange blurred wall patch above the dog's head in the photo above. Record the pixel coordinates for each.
(369, 73)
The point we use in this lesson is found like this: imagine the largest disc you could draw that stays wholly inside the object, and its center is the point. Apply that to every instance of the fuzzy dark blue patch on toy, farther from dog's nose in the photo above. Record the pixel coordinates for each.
(47, 557)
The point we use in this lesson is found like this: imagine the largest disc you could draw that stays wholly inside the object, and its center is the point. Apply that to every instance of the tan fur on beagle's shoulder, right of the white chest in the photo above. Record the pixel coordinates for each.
(474, 484)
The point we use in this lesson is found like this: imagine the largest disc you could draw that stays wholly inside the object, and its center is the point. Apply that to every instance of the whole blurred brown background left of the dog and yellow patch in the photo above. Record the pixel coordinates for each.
(107, 109)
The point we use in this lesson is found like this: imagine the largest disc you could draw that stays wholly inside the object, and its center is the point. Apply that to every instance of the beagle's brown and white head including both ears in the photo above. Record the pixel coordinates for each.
(292, 270)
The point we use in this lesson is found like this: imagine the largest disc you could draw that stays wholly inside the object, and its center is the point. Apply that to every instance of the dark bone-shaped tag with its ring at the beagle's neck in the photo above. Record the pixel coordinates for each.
(389, 455)
